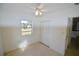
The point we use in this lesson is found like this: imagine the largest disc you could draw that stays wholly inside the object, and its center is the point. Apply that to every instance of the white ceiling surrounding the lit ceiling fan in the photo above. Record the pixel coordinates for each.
(12, 13)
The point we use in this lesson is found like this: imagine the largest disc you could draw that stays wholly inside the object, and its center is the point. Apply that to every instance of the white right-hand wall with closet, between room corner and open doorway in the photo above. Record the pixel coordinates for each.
(54, 34)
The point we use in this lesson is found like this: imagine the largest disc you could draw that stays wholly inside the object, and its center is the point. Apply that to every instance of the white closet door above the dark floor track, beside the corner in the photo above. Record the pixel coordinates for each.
(45, 33)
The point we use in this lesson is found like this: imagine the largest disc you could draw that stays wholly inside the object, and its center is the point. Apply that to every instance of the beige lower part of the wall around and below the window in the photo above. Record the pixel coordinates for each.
(12, 37)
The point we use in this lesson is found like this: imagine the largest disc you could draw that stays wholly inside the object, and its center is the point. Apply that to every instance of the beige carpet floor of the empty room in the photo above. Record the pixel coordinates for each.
(36, 49)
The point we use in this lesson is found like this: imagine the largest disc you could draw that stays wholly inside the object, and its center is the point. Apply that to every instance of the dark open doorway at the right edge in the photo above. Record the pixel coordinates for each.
(73, 46)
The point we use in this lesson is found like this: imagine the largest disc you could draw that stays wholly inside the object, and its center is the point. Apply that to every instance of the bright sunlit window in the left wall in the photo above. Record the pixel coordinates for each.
(26, 28)
